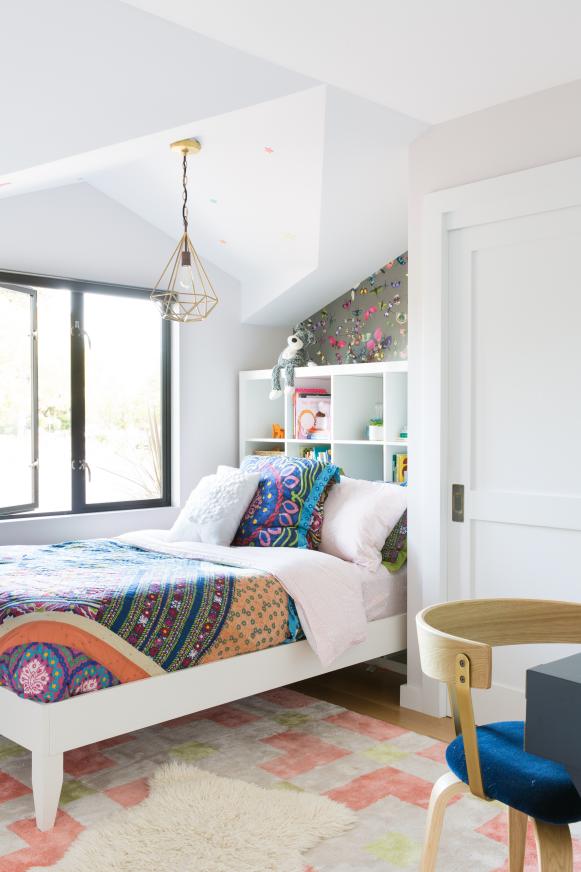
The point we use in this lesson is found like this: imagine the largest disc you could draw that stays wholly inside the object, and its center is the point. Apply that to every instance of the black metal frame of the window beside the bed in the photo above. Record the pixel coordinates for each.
(78, 287)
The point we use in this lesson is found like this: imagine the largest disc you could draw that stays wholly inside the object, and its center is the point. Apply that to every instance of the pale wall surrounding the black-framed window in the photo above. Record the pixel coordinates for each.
(78, 232)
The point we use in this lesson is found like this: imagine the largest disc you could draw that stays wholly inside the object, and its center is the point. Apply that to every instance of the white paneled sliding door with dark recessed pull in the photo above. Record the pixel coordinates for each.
(514, 422)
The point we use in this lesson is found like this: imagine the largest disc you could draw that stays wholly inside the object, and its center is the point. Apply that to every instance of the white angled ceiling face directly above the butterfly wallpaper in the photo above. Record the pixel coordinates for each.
(362, 211)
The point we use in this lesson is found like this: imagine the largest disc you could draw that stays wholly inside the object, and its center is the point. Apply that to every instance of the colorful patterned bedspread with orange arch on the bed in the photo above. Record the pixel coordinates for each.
(86, 615)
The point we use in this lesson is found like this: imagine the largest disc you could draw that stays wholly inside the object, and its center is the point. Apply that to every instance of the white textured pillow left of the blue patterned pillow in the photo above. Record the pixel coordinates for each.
(215, 507)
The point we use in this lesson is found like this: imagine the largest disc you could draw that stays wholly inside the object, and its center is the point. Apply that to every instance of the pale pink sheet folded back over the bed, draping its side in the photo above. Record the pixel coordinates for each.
(328, 592)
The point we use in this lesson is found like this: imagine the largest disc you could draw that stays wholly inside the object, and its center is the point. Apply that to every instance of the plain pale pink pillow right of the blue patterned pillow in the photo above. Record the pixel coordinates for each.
(359, 515)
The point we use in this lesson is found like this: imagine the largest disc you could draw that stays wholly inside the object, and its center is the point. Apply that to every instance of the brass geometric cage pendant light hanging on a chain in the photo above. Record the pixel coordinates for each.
(184, 292)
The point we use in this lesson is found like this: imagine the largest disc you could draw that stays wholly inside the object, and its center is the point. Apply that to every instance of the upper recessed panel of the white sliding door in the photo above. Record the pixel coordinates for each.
(525, 357)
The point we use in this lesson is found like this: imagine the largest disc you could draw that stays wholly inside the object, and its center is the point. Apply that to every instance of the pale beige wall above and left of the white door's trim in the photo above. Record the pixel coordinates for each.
(535, 130)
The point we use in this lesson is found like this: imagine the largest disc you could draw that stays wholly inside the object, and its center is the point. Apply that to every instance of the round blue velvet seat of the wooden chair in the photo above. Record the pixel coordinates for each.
(533, 785)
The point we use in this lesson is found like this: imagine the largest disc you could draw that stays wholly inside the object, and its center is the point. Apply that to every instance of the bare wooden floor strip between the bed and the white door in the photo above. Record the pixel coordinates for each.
(374, 692)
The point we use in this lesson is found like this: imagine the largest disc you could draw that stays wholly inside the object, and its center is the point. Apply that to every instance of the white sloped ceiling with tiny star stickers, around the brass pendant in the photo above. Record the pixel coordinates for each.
(300, 187)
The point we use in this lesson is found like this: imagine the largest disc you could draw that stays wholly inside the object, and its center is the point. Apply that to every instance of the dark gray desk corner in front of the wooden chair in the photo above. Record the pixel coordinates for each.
(553, 721)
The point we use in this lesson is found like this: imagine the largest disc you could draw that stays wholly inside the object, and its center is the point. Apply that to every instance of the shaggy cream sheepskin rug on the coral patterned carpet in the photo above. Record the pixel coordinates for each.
(194, 820)
